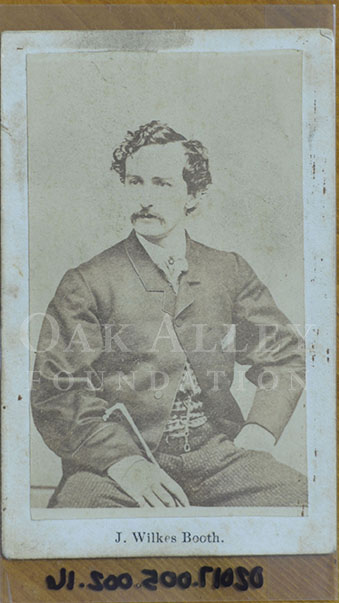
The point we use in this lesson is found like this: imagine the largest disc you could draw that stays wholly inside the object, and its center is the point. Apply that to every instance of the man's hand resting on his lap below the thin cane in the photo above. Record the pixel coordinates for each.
(147, 483)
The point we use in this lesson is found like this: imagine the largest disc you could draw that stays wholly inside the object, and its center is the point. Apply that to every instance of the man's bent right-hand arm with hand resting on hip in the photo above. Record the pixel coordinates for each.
(267, 342)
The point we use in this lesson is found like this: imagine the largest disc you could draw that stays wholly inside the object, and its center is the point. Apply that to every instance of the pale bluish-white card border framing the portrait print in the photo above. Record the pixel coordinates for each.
(24, 537)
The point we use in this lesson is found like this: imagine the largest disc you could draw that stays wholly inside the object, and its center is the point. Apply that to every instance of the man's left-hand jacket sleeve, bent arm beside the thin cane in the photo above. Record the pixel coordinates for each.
(67, 409)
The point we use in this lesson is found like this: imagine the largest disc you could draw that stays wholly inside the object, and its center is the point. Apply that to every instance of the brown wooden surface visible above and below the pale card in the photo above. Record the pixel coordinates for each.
(310, 578)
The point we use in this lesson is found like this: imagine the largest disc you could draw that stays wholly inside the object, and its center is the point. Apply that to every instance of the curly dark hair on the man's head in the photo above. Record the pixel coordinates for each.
(195, 173)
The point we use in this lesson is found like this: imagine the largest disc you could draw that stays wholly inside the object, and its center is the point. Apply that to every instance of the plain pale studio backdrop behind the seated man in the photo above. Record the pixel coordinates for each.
(244, 107)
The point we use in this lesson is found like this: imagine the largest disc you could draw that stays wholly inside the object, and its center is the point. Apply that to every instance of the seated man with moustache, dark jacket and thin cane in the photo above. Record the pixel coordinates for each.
(136, 356)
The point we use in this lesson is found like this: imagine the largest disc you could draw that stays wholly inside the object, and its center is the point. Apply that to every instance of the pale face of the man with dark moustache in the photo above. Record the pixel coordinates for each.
(157, 193)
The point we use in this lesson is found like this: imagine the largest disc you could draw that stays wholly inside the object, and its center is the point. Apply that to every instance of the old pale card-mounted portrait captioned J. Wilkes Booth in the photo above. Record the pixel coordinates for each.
(168, 251)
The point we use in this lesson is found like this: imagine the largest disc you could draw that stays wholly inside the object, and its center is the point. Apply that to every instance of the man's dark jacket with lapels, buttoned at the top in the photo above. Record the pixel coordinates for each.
(119, 324)
